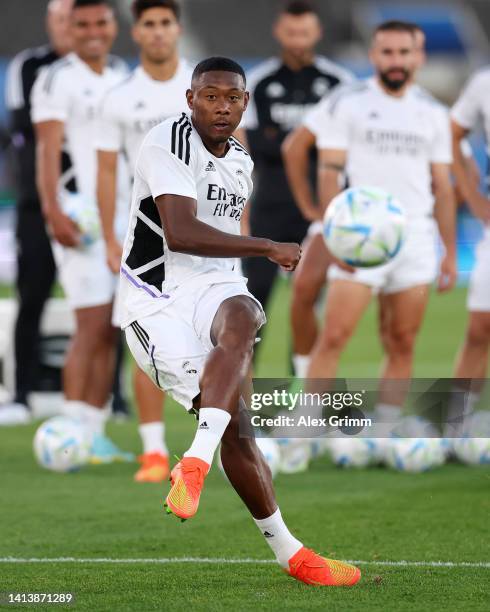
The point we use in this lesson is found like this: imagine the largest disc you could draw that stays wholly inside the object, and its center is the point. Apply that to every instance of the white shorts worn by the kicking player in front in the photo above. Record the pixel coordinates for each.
(172, 344)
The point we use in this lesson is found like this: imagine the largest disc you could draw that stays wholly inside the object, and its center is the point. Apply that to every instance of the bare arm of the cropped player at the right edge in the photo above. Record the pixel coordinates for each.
(468, 188)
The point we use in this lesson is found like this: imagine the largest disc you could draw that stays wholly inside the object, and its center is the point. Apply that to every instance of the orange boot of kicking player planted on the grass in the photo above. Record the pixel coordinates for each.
(311, 568)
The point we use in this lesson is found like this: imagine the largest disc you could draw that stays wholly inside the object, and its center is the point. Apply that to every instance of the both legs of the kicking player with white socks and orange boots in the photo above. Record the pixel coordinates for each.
(233, 332)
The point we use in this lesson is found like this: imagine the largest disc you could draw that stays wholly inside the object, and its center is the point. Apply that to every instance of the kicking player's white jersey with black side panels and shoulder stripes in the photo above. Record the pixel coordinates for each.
(174, 160)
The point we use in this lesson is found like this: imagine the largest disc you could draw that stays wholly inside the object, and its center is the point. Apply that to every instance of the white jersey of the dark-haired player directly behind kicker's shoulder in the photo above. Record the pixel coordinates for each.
(133, 107)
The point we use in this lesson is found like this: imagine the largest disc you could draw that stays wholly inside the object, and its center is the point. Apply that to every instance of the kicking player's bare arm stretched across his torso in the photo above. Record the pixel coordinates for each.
(186, 234)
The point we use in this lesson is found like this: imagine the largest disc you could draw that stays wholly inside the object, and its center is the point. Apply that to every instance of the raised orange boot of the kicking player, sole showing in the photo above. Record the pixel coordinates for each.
(187, 480)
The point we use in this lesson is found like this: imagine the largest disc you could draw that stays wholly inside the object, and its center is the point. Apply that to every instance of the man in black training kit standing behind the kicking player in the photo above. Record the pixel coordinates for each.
(282, 90)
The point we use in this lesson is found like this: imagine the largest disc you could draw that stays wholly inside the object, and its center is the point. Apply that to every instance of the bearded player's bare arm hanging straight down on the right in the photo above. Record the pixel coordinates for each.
(445, 215)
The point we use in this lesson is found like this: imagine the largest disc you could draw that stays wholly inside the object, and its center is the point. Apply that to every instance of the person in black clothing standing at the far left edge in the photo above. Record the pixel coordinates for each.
(36, 271)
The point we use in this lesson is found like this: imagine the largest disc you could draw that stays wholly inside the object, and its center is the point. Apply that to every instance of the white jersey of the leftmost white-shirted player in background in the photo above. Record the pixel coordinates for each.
(71, 92)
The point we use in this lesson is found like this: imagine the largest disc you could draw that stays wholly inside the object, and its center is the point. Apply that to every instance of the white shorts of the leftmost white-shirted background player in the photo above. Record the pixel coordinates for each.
(84, 275)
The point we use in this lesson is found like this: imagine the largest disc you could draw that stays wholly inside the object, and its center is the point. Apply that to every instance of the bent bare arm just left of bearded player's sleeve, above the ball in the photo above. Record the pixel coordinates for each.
(296, 155)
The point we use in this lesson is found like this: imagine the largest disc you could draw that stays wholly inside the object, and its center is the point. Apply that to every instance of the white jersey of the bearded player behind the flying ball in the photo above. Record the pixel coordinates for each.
(391, 142)
